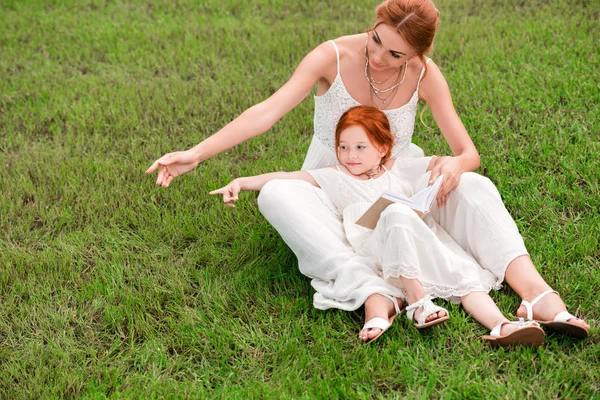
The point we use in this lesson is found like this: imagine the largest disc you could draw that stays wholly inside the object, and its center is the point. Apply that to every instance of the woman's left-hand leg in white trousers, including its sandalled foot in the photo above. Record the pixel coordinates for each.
(304, 217)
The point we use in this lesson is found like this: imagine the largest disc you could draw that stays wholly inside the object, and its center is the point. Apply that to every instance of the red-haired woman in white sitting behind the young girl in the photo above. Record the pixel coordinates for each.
(386, 68)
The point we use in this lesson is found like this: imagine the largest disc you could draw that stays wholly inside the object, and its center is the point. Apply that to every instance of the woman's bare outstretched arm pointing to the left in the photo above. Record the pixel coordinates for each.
(252, 122)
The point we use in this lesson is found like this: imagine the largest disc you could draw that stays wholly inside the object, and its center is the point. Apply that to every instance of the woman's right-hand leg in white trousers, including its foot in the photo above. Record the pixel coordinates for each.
(477, 219)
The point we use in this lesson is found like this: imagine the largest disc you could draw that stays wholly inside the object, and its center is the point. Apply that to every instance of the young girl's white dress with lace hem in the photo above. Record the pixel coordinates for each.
(403, 244)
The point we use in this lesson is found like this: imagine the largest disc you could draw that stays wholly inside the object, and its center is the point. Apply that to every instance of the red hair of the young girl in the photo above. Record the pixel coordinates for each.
(375, 124)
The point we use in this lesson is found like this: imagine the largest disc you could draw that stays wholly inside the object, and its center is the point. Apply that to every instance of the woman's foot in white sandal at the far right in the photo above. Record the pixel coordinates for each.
(546, 307)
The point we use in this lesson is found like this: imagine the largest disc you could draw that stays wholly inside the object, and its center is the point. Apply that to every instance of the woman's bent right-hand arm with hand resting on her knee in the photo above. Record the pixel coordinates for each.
(434, 89)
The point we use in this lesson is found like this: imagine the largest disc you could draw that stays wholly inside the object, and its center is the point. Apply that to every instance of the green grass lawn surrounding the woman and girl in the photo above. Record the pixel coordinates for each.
(113, 287)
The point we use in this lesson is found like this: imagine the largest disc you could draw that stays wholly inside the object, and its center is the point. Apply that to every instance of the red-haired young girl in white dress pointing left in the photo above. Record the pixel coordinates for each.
(414, 254)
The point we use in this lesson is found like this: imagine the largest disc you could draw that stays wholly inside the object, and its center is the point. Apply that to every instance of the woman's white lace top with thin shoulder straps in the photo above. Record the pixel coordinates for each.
(329, 108)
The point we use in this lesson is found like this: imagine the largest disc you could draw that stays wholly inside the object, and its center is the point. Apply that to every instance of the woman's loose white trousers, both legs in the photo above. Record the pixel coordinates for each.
(474, 216)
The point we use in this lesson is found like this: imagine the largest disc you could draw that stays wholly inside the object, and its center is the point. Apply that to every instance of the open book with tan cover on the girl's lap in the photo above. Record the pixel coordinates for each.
(421, 202)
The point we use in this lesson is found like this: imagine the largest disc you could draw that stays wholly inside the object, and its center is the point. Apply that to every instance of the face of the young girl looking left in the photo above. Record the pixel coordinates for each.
(356, 151)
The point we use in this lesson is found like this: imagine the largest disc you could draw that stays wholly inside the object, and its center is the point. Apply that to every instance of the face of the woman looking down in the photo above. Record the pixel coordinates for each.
(387, 50)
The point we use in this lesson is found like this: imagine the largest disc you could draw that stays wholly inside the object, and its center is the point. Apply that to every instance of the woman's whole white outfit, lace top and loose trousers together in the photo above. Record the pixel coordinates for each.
(474, 215)
